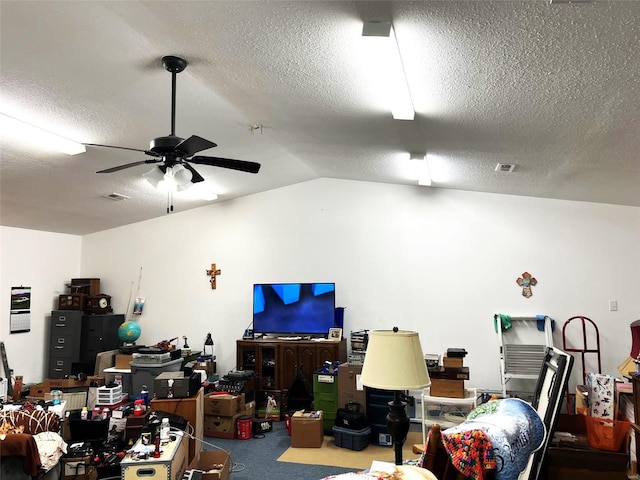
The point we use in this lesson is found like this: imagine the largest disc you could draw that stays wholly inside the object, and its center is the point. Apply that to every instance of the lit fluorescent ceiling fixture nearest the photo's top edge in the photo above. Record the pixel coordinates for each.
(382, 39)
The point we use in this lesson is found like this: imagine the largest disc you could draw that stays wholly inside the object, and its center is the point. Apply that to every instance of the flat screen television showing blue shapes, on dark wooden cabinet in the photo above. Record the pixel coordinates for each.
(294, 308)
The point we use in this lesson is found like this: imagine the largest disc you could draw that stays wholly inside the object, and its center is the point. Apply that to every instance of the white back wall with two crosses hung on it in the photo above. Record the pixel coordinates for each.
(441, 262)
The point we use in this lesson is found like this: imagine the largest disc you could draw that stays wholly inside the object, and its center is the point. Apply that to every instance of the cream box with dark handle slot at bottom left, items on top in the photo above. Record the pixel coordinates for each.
(170, 466)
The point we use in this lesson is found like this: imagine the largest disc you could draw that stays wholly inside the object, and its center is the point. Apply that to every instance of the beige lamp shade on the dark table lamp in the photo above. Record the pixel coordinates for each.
(394, 361)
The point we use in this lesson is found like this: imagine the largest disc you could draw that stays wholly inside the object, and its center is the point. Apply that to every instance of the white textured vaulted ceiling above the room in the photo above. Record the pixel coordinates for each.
(551, 88)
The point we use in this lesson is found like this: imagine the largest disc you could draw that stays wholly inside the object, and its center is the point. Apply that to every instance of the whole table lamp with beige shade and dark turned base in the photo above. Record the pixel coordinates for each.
(394, 361)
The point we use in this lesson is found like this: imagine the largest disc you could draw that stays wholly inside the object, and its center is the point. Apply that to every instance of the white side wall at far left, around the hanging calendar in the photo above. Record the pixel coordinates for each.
(46, 262)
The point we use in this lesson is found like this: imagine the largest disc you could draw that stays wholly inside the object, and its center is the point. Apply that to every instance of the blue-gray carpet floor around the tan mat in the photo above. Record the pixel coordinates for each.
(256, 458)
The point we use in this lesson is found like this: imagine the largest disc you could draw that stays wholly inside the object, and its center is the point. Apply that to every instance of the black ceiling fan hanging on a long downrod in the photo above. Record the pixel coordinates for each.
(172, 151)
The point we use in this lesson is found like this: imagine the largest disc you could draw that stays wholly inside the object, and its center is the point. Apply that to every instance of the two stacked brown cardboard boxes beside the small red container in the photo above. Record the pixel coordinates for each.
(221, 413)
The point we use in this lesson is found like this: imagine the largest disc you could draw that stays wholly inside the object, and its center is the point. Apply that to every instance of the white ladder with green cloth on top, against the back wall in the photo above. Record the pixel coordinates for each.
(521, 360)
